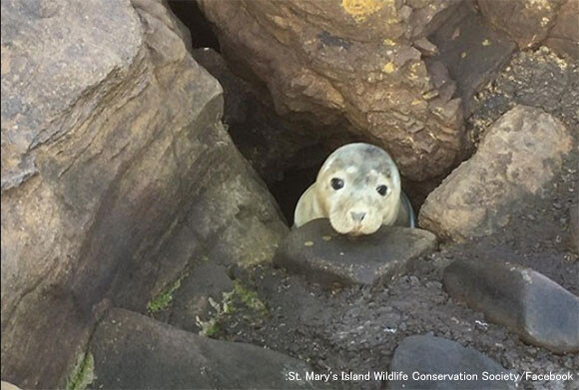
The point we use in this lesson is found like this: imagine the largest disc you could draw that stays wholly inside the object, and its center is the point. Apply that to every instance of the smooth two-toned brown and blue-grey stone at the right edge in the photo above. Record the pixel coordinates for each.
(542, 312)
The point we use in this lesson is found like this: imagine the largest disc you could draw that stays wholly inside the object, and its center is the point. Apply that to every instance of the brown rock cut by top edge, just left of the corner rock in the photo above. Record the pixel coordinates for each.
(527, 22)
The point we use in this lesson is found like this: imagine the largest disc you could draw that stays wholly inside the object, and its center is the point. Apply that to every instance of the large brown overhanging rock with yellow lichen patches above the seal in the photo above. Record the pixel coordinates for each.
(358, 60)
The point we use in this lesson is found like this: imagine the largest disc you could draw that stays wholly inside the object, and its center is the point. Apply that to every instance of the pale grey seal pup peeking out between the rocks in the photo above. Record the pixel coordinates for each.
(358, 188)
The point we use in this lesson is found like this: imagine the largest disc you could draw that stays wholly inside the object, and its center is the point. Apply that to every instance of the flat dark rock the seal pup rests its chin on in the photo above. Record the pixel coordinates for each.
(326, 257)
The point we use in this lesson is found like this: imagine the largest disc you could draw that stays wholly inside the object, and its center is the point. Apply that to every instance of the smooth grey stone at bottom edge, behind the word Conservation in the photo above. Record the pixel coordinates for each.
(435, 356)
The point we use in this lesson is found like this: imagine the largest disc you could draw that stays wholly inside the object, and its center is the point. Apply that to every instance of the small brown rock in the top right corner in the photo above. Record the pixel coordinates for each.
(564, 36)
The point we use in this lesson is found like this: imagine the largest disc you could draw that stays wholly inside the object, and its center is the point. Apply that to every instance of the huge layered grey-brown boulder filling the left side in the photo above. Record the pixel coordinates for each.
(115, 173)
